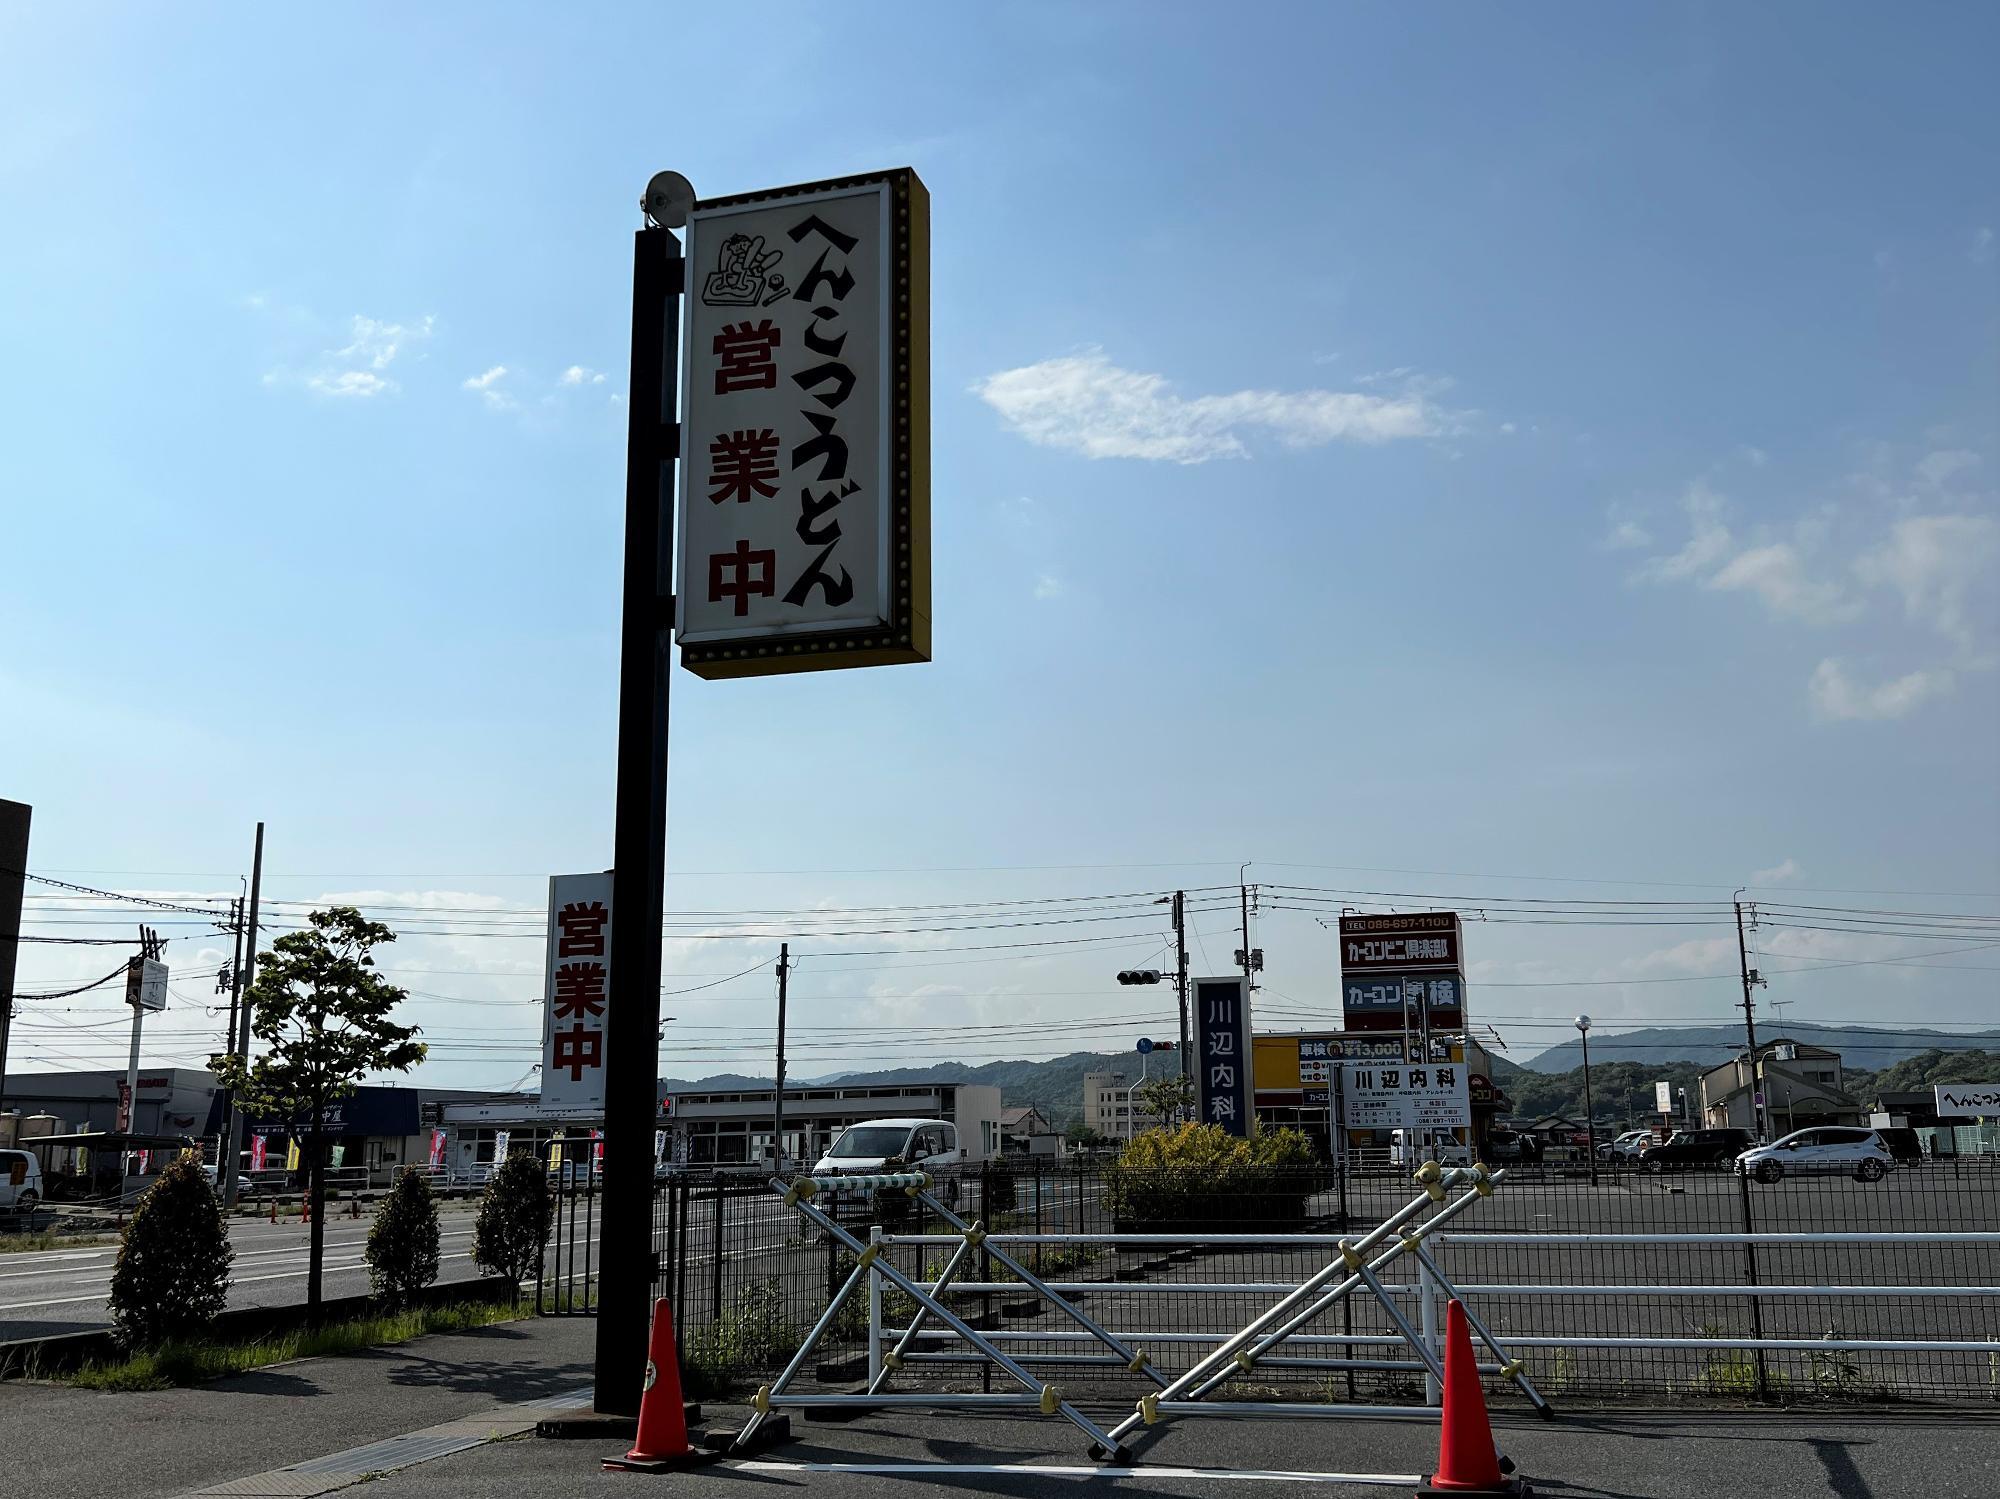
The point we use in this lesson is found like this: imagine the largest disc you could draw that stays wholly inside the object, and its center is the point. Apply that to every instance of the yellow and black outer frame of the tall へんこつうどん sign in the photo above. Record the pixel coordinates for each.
(907, 639)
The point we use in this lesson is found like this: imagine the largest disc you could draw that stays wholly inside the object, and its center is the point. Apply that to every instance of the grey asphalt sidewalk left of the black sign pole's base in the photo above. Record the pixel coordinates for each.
(75, 1444)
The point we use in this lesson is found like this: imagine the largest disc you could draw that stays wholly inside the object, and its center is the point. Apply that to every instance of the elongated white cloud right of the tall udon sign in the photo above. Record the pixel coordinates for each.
(1091, 407)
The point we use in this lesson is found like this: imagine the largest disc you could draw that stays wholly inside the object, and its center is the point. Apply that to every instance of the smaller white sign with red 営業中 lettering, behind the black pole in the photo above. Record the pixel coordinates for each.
(577, 996)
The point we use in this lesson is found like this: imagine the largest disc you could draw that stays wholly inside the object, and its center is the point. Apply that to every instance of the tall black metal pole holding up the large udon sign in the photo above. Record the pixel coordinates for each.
(639, 878)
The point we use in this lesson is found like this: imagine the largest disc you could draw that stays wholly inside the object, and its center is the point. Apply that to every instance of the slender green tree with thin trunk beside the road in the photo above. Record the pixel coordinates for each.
(323, 1014)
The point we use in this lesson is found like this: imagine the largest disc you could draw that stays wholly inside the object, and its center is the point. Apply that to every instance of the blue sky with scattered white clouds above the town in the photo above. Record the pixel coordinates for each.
(1543, 451)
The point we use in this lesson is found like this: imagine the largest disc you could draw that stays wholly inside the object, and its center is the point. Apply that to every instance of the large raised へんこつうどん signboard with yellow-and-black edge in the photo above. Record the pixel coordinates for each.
(805, 467)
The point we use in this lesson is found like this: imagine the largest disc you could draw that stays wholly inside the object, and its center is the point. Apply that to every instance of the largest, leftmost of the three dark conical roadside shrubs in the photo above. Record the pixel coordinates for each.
(175, 1256)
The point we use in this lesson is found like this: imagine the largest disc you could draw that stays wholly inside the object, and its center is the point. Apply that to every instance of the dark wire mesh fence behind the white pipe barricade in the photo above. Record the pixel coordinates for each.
(1705, 1276)
